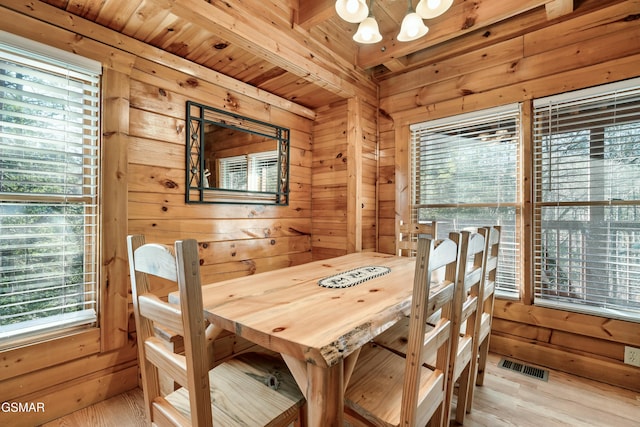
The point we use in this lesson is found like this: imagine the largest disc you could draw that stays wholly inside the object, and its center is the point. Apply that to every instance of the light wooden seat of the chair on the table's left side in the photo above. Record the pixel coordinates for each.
(238, 401)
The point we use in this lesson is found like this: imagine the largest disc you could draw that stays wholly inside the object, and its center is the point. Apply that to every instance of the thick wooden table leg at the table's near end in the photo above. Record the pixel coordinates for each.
(325, 404)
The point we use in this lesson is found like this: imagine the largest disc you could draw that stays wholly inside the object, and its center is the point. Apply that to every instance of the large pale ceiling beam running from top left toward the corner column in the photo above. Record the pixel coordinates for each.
(291, 49)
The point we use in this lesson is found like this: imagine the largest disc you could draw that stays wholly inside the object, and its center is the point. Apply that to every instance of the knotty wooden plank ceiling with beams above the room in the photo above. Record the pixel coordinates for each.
(300, 50)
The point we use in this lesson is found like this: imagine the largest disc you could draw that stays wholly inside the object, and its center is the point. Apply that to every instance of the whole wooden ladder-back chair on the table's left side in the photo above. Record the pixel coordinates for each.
(252, 389)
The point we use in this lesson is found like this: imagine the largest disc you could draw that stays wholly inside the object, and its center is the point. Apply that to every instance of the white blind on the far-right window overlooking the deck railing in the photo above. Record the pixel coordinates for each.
(587, 200)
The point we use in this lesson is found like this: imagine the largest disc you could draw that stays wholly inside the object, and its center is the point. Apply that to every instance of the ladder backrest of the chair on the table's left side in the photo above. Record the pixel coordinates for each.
(178, 264)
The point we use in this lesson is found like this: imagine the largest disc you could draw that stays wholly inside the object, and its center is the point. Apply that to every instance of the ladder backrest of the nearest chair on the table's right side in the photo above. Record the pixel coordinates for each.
(428, 343)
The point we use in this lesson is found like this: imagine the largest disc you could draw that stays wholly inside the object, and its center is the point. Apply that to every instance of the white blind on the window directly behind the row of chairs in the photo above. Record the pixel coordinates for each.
(465, 174)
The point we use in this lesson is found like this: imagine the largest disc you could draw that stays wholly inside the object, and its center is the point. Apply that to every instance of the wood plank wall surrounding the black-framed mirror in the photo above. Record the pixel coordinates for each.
(235, 240)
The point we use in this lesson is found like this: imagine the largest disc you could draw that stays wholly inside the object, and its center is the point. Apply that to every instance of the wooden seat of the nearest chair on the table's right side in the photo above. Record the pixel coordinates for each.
(376, 386)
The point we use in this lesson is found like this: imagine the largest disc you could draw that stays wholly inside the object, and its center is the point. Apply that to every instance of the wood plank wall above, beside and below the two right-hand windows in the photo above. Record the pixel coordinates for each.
(596, 44)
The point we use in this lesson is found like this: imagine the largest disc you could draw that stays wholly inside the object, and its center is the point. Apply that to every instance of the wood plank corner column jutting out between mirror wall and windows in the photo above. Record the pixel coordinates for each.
(344, 179)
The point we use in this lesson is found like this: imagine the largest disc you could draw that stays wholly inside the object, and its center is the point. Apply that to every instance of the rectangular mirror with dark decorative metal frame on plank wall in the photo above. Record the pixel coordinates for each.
(235, 159)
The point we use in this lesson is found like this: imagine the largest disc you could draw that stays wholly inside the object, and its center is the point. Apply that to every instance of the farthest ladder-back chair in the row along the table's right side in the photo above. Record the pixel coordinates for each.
(485, 311)
